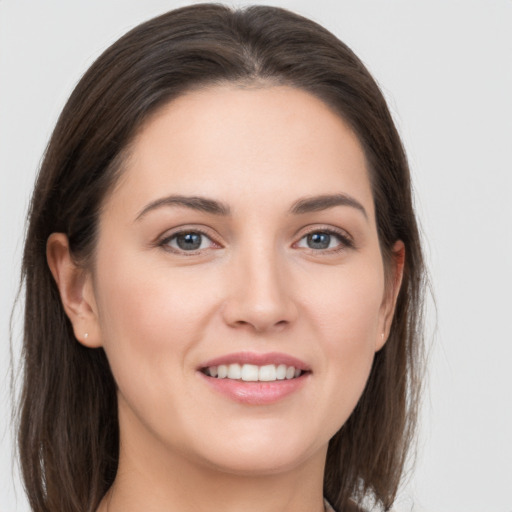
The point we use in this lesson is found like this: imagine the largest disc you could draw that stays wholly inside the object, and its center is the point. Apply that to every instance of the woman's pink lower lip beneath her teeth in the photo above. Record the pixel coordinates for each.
(256, 393)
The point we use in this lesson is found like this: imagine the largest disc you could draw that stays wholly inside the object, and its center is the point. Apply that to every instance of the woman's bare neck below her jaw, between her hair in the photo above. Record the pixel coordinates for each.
(155, 479)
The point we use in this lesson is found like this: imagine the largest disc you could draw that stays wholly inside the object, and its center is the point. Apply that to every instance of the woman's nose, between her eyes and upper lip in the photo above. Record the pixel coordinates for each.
(260, 293)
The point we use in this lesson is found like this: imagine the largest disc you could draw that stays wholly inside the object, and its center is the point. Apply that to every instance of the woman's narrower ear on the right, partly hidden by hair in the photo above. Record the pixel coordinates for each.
(393, 284)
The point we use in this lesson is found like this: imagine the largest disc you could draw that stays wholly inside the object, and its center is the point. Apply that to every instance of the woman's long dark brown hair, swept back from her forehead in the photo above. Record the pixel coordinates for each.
(68, 430)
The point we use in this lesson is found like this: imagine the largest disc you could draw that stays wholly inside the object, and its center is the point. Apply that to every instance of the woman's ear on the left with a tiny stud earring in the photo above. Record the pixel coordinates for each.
(76, 290)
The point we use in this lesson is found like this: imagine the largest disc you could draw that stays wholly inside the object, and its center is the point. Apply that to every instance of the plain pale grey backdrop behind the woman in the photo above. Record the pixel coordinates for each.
(445, 67)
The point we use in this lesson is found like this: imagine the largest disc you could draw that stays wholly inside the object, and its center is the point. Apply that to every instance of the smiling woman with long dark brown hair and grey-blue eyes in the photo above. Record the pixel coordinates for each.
(223, 277)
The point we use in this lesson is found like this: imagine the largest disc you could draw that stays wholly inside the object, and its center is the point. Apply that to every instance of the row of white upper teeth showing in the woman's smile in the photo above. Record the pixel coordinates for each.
(253, 373)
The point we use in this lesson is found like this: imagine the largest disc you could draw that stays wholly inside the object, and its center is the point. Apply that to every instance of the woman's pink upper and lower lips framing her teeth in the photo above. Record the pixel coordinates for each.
(256, 393)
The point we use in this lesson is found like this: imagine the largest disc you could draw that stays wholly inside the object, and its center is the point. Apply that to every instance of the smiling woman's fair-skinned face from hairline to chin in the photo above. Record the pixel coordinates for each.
(241, 237)
